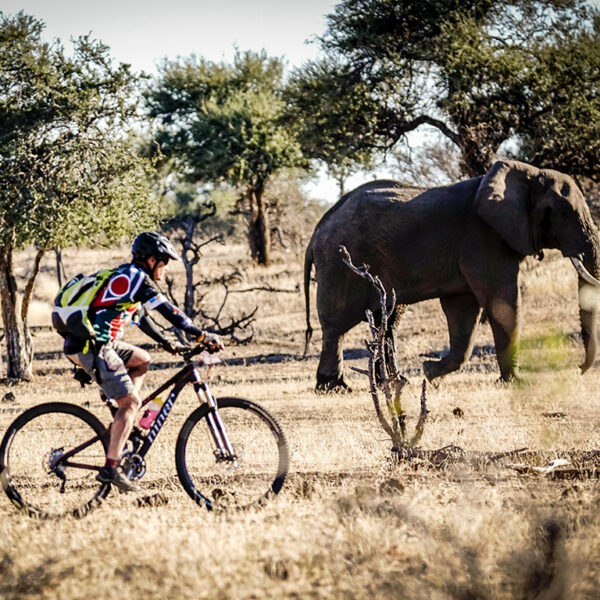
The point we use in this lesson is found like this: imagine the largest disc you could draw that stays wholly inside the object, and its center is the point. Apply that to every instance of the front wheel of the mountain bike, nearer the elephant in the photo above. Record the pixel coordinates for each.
(259, 443)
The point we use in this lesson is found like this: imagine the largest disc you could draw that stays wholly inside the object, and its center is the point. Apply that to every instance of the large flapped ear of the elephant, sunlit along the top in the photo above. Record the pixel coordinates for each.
(503, 202)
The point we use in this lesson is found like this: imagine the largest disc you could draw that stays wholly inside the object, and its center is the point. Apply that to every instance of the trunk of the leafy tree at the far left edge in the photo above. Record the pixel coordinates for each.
(19, 348)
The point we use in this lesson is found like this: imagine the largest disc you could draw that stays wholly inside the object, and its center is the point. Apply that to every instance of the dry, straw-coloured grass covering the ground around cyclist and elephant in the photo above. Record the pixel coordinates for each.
(350, 522)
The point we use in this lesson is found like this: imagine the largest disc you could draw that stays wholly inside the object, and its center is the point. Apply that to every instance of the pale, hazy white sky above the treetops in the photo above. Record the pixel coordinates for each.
(143, 32)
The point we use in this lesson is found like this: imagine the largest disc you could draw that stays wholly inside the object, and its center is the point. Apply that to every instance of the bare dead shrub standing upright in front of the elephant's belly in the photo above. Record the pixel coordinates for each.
(383, 368)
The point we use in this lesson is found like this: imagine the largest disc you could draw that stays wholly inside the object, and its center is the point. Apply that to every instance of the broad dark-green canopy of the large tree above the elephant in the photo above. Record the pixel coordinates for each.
(479, 71)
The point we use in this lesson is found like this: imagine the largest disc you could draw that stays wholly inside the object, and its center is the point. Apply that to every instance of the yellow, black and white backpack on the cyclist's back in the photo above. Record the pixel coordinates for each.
(72, 304)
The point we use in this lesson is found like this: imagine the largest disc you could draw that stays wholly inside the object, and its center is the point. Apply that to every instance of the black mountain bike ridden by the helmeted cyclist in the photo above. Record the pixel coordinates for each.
(230, 452)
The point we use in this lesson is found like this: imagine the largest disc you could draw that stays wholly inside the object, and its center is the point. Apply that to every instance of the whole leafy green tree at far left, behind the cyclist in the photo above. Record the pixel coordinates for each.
(68, 173)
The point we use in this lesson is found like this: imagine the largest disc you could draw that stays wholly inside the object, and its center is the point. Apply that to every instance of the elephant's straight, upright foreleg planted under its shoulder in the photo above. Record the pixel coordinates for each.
(502, 313)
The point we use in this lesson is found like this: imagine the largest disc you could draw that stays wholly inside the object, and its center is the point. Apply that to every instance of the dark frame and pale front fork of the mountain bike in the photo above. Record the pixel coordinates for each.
(188, 374)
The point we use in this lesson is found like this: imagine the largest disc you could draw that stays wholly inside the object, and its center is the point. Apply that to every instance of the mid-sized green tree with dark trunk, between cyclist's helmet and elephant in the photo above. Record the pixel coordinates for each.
(224, 124)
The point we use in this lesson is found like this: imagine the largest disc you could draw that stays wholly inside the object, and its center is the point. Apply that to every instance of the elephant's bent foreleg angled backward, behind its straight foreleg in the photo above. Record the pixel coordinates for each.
(462, 312)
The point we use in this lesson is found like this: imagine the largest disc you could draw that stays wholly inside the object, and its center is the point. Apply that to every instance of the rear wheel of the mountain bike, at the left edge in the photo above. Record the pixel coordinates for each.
(25, 452)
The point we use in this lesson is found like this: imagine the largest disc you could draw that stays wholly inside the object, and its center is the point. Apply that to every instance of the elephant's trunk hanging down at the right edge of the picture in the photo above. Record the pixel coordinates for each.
(589, 290)
